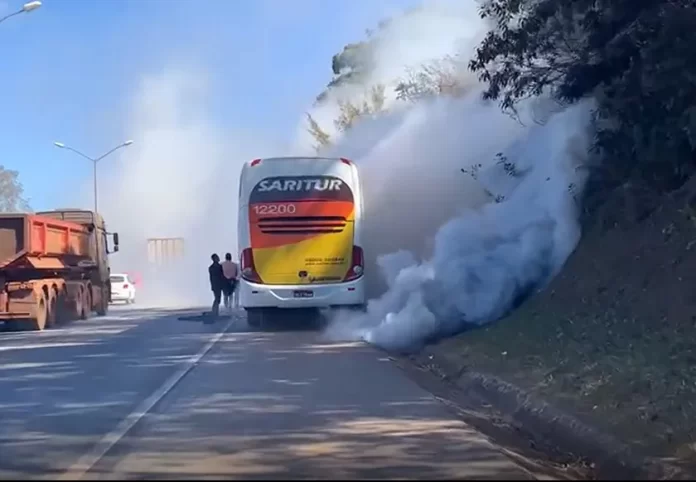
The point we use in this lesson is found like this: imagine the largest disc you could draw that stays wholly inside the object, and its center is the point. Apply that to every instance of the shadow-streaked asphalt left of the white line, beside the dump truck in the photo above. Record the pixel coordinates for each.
(61, 389)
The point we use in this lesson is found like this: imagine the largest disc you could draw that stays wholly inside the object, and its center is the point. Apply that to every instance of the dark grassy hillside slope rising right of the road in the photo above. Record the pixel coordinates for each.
(612, 340)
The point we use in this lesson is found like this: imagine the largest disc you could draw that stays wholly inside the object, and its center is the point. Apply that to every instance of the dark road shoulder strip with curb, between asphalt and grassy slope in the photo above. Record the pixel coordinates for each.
(537, 436)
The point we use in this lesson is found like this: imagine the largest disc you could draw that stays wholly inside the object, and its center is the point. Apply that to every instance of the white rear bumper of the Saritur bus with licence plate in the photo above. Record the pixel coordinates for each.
(252, 295)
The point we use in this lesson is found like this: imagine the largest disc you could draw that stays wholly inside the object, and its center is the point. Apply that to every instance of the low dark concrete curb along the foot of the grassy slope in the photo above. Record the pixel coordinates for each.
(611, 459)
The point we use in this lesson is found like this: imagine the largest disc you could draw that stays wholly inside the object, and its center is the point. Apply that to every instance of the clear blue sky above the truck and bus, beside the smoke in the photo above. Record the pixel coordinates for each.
(69, 69)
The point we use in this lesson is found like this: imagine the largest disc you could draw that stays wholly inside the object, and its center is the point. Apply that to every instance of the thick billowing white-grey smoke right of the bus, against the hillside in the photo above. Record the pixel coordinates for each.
(450, 255)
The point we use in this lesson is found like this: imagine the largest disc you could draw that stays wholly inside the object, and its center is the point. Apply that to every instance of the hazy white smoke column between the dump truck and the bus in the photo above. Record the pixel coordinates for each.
(180, 178)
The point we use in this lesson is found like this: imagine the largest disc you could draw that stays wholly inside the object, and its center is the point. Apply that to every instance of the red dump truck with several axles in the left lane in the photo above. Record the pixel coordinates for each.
(54, 266)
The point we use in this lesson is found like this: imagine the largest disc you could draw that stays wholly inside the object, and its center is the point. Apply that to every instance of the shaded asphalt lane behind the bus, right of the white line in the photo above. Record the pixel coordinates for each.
(264, 406)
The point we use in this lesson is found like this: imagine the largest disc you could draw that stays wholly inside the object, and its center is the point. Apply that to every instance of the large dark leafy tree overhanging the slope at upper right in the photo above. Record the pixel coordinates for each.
(634, 56)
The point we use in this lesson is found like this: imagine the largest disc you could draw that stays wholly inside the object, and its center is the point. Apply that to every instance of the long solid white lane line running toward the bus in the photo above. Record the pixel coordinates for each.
(91, 458)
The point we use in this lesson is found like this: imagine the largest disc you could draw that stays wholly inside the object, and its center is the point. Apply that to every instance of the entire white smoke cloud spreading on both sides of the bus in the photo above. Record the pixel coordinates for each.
(445, 251)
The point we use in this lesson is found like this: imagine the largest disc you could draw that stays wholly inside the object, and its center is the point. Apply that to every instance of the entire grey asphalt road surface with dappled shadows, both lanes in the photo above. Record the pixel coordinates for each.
(145, 394)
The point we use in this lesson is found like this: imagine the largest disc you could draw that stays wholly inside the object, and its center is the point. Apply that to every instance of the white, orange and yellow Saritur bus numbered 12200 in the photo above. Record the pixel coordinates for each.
(299, 234)
